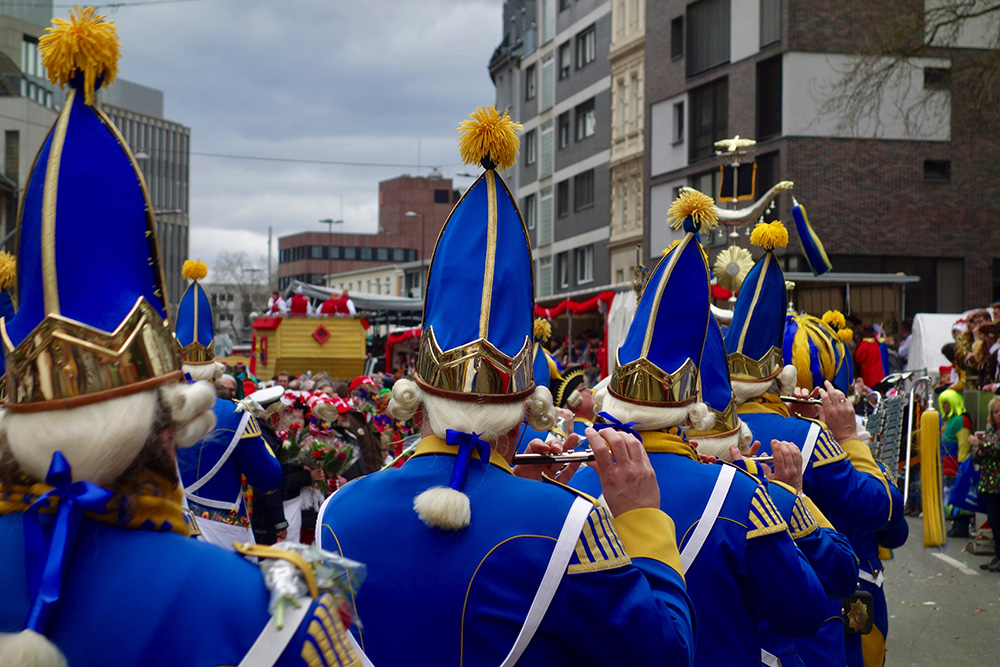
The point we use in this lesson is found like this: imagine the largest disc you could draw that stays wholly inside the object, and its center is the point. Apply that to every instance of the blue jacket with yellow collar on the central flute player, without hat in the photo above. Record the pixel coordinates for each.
(437, 597)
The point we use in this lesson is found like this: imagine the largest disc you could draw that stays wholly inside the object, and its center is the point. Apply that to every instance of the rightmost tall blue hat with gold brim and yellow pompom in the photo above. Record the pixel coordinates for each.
(754, 337)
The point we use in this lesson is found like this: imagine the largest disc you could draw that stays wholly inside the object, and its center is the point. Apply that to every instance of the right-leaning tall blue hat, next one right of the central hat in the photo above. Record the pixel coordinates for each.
(658, 360)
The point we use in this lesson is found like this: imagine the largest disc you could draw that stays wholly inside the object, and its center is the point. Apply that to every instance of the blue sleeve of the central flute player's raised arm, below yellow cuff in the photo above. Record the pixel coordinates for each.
(652, 622)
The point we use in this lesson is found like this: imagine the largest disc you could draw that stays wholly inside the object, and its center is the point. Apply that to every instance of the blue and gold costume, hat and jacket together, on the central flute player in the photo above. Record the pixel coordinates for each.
(471, 577)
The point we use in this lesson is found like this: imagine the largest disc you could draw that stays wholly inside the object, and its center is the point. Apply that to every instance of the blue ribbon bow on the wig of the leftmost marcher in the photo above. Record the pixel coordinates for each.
(46, 554)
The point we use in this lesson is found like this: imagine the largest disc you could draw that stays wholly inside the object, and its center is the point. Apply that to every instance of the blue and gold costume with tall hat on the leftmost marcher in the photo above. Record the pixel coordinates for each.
(109, 576)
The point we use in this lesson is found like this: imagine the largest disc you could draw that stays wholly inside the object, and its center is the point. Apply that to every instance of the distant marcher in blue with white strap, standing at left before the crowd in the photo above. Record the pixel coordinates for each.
(212, 470)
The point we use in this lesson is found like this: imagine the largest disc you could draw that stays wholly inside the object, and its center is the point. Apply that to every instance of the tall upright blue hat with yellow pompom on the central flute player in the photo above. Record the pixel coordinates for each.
(476, 343)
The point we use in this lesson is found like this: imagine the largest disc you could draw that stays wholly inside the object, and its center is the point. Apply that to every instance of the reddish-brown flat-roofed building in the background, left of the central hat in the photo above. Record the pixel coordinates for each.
(312, 255)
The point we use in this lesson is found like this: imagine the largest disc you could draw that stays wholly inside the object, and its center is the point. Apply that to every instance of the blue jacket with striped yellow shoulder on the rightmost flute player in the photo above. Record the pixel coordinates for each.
(851, 498)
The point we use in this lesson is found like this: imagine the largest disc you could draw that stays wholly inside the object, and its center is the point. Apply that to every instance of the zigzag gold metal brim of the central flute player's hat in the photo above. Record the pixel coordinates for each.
(477, 371)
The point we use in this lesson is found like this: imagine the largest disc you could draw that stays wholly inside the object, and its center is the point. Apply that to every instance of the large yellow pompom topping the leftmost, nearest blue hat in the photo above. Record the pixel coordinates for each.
(85, 44)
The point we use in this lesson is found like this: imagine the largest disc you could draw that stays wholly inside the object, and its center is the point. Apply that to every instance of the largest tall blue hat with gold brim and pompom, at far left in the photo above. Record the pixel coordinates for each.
(92, 319)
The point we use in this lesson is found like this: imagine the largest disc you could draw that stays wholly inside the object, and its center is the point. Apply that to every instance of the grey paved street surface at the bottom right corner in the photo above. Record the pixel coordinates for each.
(941, 611)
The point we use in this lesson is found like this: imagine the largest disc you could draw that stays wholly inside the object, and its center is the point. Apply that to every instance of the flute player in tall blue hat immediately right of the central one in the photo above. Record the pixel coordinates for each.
(739, 560)
